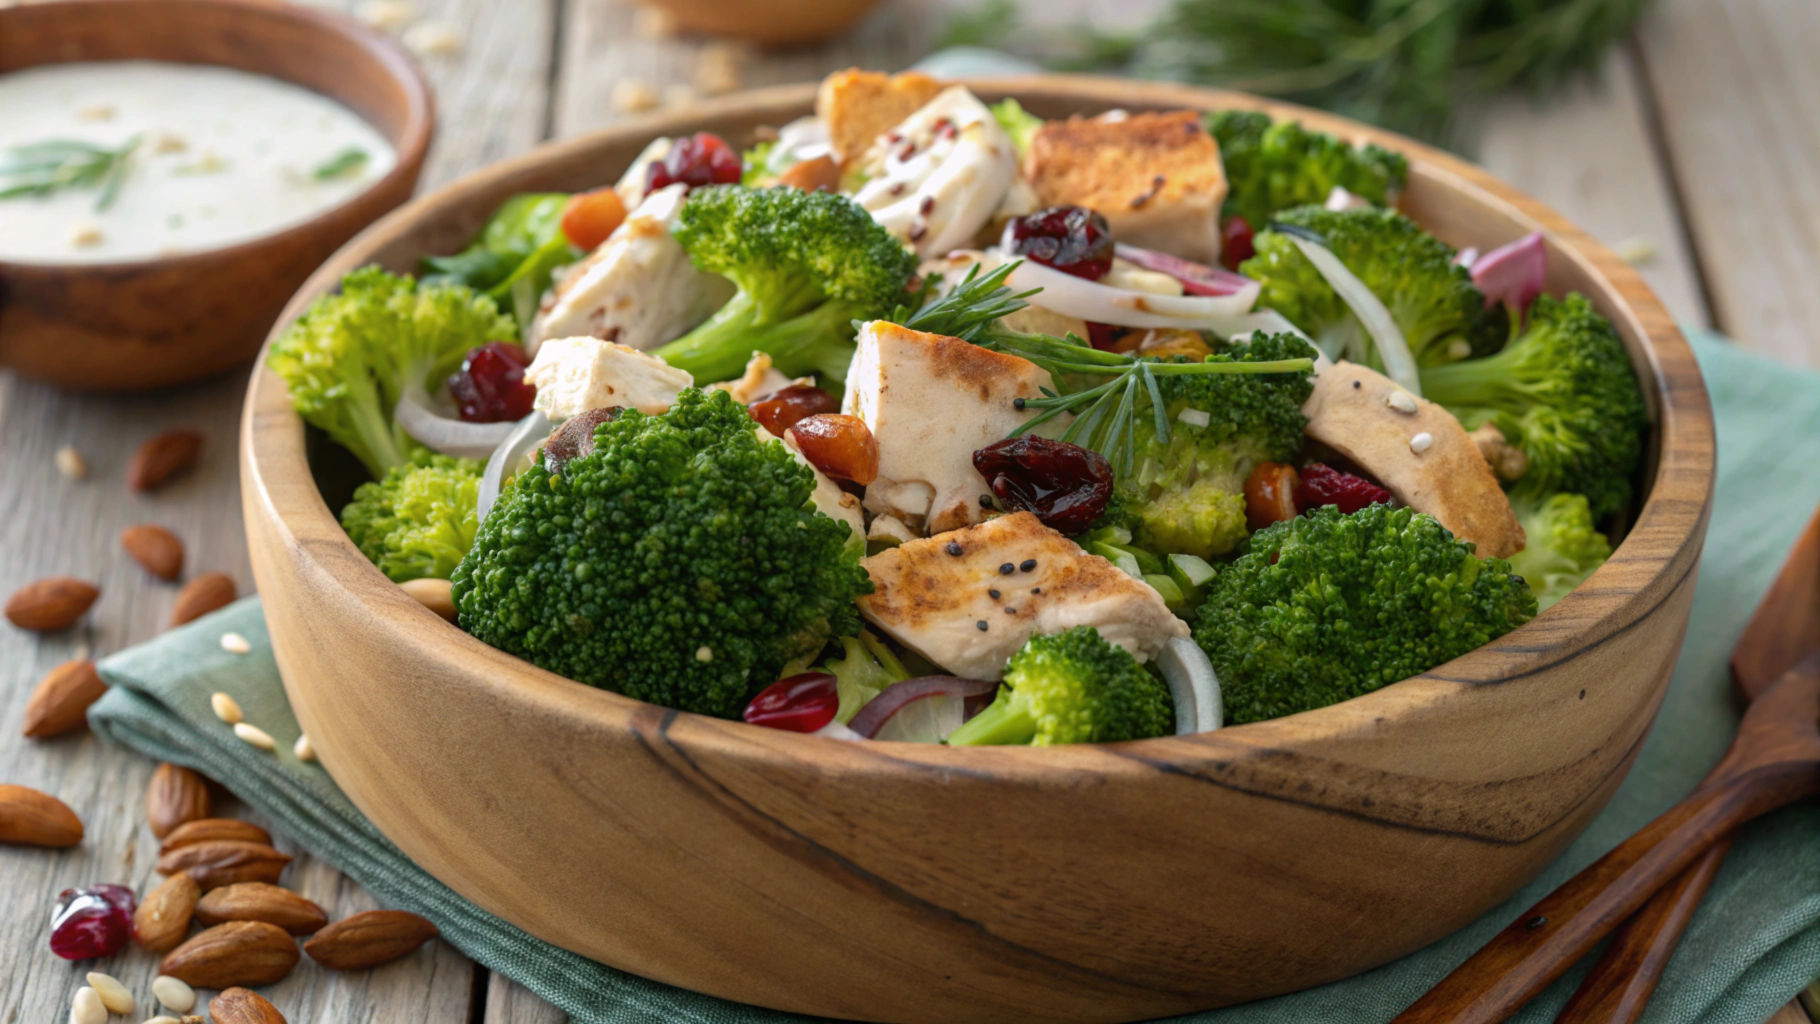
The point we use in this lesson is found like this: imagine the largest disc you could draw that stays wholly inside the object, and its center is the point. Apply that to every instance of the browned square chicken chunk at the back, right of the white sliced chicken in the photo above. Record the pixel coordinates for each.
(1155, 177)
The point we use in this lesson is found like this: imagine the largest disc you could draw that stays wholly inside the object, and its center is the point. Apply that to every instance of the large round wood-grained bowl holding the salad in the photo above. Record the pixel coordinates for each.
(931, 885)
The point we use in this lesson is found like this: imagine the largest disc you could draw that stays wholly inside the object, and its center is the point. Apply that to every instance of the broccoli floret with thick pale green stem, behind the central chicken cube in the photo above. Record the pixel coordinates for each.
(807, 266)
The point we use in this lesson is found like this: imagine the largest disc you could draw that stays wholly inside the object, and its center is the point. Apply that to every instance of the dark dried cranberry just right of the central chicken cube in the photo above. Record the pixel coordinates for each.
(1067, 487)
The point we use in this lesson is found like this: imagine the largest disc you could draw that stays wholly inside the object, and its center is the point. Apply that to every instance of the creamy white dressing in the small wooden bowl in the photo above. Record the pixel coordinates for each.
(223, 157)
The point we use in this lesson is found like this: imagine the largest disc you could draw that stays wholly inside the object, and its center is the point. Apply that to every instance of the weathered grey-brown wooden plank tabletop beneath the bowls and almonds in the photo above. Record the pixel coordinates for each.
(1695, 148)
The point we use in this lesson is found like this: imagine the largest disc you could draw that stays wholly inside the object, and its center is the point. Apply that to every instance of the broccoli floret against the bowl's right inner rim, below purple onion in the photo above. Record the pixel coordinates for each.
(1564, 392)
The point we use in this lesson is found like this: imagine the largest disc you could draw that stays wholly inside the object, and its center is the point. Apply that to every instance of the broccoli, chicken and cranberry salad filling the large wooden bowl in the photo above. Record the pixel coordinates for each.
(933, 421)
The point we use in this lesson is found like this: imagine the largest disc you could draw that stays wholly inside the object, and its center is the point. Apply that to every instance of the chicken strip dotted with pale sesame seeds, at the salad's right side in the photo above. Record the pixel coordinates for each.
(1417, 450)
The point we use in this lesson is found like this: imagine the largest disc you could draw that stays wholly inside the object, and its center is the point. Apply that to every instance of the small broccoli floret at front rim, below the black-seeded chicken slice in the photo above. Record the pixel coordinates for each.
(1073, 688)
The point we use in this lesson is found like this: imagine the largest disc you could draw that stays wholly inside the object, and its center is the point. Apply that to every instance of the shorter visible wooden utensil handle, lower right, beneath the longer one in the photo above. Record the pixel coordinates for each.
(1624, 979)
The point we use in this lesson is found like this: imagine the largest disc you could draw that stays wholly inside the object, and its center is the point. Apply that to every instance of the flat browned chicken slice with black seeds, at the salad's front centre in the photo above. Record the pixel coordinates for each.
(969, 599)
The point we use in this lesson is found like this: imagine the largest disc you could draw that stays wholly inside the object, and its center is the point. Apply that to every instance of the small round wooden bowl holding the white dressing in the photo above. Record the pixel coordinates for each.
(148, 325)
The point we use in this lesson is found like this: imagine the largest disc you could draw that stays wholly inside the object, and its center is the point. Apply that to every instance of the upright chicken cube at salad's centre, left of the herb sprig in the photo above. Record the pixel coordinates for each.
(933, 401)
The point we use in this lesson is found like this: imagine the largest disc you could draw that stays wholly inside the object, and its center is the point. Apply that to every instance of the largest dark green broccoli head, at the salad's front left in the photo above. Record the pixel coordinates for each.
(678, 563)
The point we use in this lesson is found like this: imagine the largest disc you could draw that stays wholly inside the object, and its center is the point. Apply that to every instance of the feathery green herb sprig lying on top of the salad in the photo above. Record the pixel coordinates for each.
(1106, 392)
